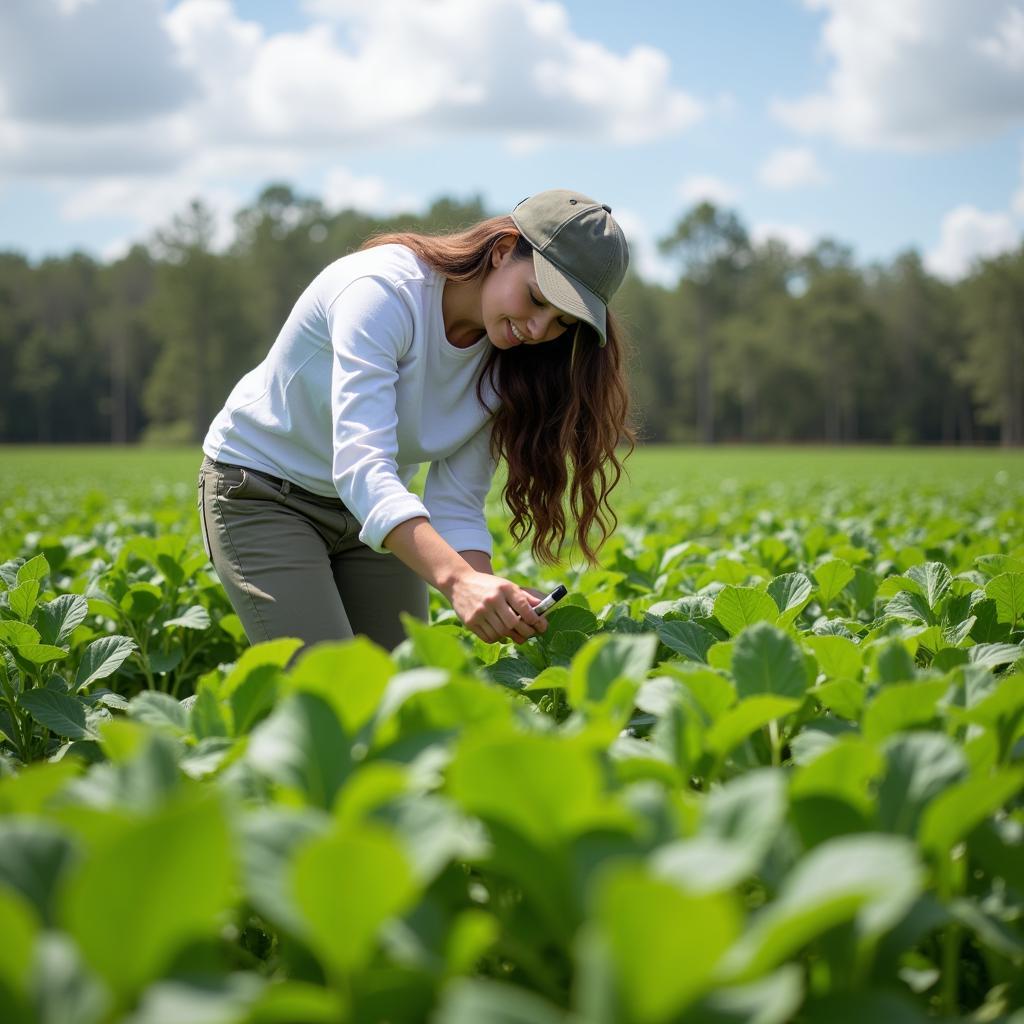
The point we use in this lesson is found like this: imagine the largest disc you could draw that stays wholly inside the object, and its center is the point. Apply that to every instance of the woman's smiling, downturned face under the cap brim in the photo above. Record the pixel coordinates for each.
(516, 312)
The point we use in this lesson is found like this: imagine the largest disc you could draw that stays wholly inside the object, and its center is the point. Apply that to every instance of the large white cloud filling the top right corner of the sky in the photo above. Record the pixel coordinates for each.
(916, 75)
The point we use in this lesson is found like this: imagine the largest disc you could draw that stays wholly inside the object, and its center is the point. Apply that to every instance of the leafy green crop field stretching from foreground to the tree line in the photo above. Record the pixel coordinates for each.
(765, 766)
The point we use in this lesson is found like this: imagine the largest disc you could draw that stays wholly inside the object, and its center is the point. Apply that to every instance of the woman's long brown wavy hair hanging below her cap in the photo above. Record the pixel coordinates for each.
(564, 407)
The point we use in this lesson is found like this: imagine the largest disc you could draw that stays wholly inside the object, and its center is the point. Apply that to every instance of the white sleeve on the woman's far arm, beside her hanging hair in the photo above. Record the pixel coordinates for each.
(455, 493)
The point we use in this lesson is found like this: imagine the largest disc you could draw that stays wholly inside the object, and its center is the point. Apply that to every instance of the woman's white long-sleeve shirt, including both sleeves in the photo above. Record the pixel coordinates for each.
(362, 388)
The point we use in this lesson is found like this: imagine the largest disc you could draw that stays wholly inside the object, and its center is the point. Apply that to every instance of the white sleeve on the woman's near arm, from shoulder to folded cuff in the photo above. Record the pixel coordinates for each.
(371, 327)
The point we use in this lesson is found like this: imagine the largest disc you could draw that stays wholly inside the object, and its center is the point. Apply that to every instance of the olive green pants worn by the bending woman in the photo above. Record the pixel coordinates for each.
(293, 566)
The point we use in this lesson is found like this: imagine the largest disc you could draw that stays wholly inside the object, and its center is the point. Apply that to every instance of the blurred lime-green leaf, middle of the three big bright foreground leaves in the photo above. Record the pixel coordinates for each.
(362, 879)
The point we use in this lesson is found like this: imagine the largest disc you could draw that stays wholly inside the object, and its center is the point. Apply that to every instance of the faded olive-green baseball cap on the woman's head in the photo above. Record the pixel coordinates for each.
(580, 253)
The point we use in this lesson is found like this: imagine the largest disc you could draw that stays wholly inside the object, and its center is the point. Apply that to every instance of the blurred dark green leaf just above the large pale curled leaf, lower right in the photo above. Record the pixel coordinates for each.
(919, 766)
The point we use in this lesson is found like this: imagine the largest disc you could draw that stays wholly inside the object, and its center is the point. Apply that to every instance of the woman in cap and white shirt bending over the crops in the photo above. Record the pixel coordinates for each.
(459, 351)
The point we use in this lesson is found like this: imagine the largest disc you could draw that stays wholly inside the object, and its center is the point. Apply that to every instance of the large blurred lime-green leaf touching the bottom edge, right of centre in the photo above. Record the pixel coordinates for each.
(659, 967)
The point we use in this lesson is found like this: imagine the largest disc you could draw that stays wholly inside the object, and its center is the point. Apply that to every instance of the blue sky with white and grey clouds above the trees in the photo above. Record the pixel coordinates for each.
(883, 124)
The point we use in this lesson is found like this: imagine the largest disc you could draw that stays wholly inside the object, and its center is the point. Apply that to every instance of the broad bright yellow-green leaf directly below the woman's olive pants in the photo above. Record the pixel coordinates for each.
(352, 676)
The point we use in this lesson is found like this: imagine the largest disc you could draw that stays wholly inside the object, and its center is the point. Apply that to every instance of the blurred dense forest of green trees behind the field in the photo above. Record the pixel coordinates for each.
(755, 344)
